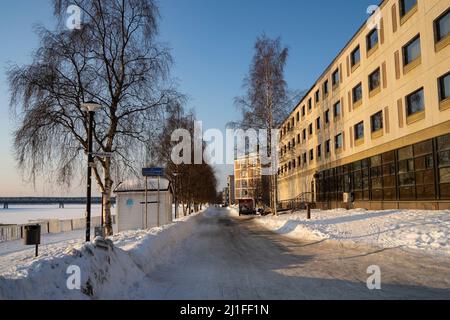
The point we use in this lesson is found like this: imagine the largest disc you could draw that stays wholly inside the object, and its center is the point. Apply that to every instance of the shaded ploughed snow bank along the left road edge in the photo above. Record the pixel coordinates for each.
(107, 272)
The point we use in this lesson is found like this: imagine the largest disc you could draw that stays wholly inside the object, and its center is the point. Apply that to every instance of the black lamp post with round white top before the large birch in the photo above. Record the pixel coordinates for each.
(90, 107)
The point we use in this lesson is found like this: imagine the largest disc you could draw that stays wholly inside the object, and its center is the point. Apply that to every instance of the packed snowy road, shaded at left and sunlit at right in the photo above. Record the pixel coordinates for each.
(234, 258)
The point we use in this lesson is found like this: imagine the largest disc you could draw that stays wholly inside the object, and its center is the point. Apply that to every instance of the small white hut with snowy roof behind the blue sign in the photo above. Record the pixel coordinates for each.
(131, 204)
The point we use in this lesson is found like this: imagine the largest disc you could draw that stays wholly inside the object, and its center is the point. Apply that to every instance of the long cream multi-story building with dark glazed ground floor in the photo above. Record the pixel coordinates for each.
(376, 124)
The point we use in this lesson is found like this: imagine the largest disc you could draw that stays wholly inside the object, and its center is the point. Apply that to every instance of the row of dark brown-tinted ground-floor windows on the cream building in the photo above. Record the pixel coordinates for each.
(415, 172)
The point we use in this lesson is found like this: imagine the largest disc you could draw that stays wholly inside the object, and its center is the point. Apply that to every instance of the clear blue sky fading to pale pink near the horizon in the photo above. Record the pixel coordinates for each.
(212, 43)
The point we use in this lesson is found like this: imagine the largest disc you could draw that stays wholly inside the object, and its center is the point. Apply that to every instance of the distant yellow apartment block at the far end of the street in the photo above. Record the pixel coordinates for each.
(247, 178)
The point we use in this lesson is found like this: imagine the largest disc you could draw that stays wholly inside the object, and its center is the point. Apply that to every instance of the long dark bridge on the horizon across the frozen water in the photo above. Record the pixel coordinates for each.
(48, 201)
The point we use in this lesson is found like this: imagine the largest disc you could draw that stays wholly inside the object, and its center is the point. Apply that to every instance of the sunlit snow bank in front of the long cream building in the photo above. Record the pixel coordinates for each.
(415, 229)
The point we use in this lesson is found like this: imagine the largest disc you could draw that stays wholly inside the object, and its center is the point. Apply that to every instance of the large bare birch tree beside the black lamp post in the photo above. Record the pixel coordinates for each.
(115, 59)
